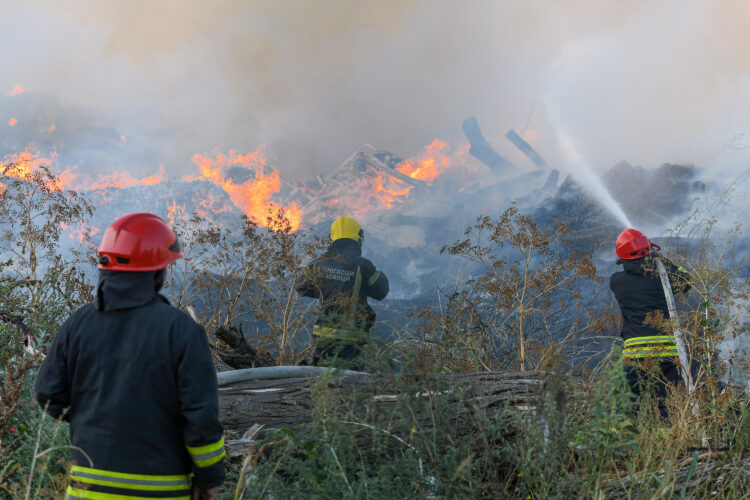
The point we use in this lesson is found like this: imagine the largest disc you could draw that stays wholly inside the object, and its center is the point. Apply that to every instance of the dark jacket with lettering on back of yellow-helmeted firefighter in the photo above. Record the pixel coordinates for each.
(343, 280)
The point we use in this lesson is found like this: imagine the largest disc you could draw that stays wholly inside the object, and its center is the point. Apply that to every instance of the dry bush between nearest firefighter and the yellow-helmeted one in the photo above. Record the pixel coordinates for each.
(245, 276)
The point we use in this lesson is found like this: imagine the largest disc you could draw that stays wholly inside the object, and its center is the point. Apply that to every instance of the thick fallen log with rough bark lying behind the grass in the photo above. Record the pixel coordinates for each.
(289, 402)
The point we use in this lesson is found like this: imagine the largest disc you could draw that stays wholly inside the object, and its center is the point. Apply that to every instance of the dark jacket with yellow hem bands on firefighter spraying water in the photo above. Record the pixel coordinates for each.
(639, 291)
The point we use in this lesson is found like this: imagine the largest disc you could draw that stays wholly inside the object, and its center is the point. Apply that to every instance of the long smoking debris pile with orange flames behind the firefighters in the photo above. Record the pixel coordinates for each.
(410, 207)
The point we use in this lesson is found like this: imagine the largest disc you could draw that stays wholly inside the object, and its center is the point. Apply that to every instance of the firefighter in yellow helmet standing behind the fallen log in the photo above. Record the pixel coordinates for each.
(342, 280)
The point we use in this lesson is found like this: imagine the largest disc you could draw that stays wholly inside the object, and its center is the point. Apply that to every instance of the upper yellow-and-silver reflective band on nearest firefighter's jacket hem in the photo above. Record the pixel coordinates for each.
(123, 480)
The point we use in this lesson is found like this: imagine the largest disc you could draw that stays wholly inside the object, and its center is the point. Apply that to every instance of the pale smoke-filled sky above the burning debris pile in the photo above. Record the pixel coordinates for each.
(644, 81)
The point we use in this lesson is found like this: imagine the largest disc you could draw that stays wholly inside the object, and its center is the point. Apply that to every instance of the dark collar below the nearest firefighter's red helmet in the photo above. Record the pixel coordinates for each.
(124, 290)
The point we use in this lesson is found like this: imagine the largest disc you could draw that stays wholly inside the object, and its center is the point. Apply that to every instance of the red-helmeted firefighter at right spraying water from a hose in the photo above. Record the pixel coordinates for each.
(640, 295)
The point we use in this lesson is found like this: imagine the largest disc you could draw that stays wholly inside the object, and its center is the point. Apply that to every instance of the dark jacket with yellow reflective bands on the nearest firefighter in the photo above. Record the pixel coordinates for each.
(135, 379)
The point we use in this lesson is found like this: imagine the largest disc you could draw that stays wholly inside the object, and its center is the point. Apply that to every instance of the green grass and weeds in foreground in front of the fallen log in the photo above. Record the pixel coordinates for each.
(599, 446)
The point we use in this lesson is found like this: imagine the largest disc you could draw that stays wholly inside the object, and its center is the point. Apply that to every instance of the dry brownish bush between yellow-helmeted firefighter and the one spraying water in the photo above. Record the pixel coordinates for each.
(522, 308)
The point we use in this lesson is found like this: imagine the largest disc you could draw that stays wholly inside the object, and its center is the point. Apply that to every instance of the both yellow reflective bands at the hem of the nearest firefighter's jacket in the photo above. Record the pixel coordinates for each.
(126, 486)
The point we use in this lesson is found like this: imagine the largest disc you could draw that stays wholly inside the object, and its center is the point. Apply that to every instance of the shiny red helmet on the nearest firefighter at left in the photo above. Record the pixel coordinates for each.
(138, 242)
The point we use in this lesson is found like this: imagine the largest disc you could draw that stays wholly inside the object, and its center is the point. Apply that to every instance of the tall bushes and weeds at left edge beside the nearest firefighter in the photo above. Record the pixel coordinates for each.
(38, 289)
